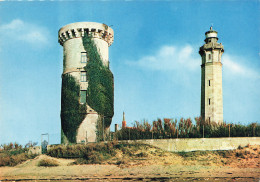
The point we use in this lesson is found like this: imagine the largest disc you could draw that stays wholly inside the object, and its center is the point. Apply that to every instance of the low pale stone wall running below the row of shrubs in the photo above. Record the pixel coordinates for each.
(195, 144)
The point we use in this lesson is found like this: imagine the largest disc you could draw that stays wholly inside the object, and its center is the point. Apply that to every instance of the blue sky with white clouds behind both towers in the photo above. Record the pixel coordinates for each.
(154, 59)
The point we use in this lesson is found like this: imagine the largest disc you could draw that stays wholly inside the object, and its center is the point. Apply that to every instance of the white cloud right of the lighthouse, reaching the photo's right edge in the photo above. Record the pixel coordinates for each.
(233, 66)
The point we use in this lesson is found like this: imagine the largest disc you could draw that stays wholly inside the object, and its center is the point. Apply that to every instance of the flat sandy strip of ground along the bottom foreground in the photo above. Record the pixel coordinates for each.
(115, 172)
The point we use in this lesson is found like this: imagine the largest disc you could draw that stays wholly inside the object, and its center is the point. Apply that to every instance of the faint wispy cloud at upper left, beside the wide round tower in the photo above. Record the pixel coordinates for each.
(24, 31)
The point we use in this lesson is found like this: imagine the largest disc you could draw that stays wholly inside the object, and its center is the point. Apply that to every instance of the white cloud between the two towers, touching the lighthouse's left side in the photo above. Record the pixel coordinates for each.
(170, 57)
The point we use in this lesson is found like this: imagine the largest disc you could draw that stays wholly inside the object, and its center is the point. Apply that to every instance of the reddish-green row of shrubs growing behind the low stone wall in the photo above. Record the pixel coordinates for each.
(185, 128)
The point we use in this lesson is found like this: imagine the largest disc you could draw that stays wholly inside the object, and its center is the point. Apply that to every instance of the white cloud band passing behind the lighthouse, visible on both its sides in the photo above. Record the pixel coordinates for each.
(179, 58)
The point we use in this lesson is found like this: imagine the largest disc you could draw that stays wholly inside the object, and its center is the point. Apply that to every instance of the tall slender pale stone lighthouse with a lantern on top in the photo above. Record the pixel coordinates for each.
(211, 78)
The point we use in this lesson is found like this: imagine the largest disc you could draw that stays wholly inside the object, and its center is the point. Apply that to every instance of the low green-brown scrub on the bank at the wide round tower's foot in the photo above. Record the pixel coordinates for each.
(98, 153)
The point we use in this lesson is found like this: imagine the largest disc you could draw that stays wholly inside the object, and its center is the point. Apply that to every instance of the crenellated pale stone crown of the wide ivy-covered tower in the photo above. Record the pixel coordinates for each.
(79, 29)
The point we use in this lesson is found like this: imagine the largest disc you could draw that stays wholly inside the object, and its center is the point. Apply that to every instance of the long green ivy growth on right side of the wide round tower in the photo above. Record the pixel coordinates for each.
(100, 92)
